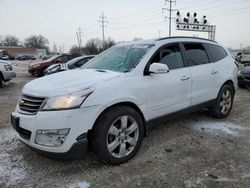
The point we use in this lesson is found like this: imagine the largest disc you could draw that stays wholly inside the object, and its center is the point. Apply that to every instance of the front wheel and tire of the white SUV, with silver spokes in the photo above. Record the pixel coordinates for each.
(117, 135)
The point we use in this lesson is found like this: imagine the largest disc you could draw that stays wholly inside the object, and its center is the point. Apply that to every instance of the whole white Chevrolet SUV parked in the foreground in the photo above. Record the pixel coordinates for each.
(110, 103)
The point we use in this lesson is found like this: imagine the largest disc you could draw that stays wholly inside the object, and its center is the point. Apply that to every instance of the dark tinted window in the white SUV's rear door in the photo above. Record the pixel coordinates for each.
(196, 54)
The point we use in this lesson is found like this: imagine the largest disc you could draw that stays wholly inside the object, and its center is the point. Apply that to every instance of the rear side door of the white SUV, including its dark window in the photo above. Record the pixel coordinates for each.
(204, 74)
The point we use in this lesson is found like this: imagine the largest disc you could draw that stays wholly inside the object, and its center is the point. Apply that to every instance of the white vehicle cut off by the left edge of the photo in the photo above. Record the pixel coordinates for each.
(6, 72)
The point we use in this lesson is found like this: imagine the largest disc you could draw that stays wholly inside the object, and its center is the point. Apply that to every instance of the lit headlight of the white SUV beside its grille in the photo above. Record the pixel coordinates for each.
(69, 101)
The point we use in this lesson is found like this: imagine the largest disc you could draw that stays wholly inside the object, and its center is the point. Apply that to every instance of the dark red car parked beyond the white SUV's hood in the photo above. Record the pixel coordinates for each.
(37, 69)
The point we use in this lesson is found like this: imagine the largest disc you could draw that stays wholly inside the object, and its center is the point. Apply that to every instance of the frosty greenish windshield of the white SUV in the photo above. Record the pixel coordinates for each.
(119, 58)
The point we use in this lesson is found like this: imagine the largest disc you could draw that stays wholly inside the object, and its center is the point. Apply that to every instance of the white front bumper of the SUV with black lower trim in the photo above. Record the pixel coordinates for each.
(80, 121)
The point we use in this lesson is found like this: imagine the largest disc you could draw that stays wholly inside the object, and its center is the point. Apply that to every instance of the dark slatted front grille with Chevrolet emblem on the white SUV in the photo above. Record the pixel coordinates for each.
(30, 104)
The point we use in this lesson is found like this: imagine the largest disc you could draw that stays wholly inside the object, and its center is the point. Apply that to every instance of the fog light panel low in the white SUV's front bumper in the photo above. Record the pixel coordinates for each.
(51, 137)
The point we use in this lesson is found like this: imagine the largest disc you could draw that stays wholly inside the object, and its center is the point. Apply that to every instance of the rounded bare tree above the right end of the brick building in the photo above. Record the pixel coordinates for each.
(36, 41)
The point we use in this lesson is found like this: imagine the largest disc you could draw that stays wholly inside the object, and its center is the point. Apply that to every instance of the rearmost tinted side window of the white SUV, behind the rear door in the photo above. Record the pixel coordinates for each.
(216, 52)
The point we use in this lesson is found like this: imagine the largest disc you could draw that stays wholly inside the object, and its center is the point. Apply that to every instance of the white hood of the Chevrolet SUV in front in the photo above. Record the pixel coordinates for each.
(67, 82)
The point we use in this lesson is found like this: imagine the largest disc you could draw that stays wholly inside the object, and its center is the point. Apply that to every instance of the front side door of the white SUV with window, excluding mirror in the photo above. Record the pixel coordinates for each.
(169, 92)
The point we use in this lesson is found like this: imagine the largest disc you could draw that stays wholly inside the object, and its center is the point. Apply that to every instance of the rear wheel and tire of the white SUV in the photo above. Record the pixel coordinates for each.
(224, 102)
